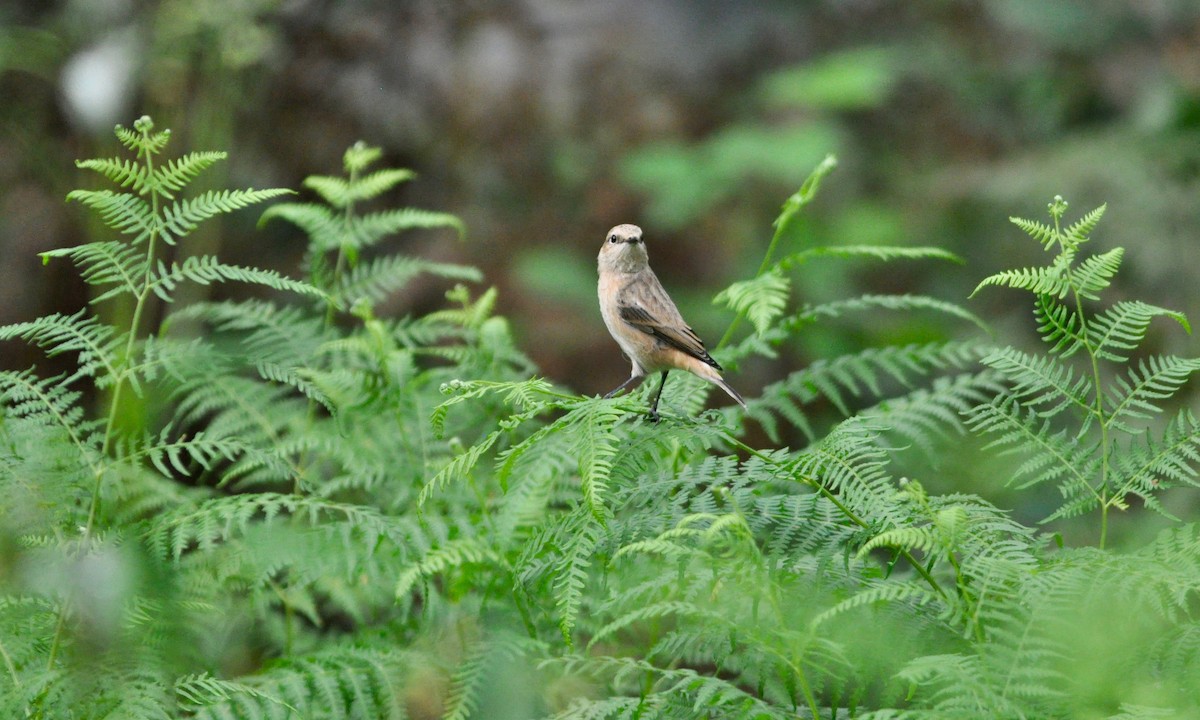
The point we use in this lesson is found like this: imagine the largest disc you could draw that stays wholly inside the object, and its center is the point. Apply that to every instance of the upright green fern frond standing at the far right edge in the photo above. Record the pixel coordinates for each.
(1079, 415)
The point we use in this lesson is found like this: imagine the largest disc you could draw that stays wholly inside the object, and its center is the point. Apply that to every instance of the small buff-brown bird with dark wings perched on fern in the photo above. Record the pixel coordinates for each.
(644, 321)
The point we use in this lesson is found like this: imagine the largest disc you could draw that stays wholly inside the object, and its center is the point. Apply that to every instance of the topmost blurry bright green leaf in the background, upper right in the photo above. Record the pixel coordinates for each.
(853, 80)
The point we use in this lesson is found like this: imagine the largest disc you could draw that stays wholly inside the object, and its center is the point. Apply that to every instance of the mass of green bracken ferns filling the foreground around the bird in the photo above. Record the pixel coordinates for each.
(313, 509)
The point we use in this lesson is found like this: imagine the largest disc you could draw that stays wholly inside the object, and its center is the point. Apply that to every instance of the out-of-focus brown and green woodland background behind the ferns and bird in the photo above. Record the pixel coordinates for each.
(543, 123)
